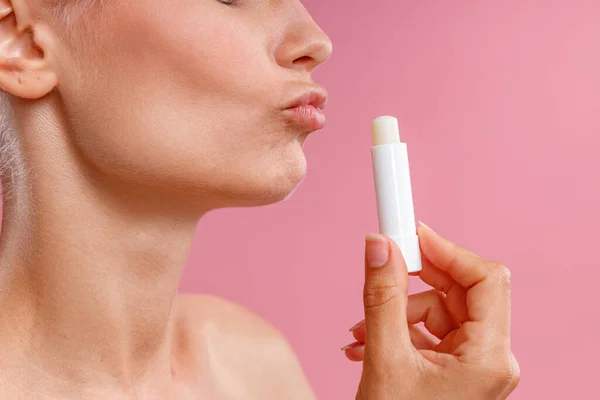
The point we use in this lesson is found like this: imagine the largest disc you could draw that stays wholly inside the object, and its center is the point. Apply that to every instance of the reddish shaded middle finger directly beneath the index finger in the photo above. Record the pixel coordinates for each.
(456, 295)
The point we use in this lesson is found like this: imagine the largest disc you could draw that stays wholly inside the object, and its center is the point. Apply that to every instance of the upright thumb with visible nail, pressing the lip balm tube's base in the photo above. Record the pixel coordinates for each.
(385, 299)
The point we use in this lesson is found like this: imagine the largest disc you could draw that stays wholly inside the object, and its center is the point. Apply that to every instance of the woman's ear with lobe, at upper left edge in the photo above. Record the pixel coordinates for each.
(24, 71)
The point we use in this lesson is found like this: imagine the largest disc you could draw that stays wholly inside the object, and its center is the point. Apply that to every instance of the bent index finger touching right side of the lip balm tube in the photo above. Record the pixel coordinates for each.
(487, 283)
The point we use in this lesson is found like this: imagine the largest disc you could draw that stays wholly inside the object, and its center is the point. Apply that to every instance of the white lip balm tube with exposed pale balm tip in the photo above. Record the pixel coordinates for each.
(394, 193)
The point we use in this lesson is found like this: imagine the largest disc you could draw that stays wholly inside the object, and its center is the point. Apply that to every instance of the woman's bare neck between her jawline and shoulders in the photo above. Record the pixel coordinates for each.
(91, 278)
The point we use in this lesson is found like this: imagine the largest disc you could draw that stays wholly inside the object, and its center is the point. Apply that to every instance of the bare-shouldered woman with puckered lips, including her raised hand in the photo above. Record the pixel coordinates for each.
(124, 123)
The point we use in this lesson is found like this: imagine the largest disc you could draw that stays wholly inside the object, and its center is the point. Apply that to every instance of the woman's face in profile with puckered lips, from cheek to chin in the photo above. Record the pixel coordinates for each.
(188, 96)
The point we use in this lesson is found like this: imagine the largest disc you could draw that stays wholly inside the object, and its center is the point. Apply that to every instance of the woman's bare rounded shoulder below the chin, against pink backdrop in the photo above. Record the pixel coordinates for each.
(251, 348)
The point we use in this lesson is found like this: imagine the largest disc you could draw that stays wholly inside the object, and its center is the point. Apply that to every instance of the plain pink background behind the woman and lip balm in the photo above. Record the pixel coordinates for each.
(500, 105)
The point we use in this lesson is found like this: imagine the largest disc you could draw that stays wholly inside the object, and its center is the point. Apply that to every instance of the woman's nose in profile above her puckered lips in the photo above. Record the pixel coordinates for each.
(304, 46)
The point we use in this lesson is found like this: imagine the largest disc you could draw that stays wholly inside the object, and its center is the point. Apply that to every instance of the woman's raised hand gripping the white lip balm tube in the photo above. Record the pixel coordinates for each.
(468, 311)
